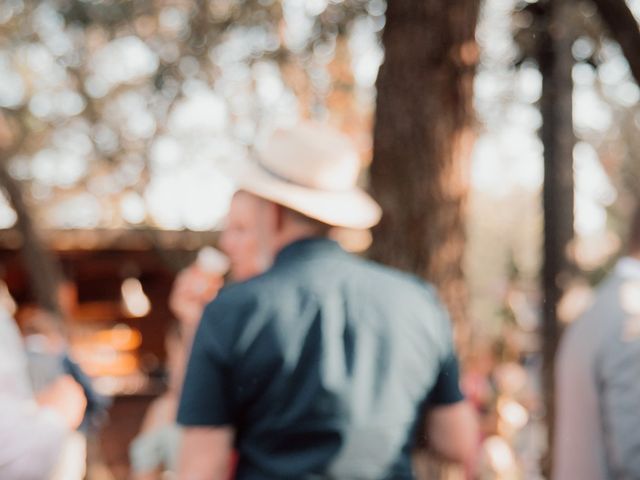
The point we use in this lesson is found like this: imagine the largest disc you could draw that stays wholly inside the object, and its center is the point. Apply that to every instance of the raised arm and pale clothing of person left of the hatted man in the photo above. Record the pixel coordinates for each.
(155, 449)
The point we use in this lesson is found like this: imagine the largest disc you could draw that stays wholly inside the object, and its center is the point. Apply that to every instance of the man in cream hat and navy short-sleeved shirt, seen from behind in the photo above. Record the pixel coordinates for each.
(326, 365)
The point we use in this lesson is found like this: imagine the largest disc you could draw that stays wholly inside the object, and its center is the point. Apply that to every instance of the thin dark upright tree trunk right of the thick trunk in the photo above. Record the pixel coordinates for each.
(556, 62)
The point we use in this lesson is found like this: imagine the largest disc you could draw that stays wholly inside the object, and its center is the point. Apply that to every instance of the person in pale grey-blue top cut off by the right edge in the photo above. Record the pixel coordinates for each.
(597, 433)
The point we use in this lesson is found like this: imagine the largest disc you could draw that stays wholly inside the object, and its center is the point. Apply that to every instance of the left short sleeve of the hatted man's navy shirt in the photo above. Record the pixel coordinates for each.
(206, 392)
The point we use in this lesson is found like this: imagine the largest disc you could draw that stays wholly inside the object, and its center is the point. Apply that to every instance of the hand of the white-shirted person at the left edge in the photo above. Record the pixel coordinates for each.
(66, 397)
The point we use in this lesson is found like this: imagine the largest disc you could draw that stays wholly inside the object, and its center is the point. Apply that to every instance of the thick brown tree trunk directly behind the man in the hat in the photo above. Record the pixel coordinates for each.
(422, 141)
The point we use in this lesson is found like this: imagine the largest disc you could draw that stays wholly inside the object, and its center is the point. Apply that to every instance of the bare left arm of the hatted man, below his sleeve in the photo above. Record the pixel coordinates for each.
(205, 453)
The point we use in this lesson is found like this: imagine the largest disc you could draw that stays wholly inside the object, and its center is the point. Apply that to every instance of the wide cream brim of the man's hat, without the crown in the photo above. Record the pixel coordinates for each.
(352, 208)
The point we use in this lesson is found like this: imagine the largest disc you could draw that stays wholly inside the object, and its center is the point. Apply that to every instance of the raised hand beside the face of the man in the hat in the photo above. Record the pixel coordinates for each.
(192, 290)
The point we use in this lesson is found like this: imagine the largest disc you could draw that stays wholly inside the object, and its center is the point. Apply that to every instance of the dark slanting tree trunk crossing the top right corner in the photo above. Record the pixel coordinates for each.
(624, 29)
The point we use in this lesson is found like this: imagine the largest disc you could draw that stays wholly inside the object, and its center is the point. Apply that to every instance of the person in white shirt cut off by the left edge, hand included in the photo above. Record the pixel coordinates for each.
(33, 429)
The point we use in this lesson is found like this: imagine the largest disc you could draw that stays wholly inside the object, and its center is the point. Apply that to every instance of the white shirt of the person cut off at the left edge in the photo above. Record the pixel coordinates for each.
(31, 437)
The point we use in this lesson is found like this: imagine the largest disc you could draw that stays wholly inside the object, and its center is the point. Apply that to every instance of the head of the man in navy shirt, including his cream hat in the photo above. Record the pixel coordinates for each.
(302, 183)
